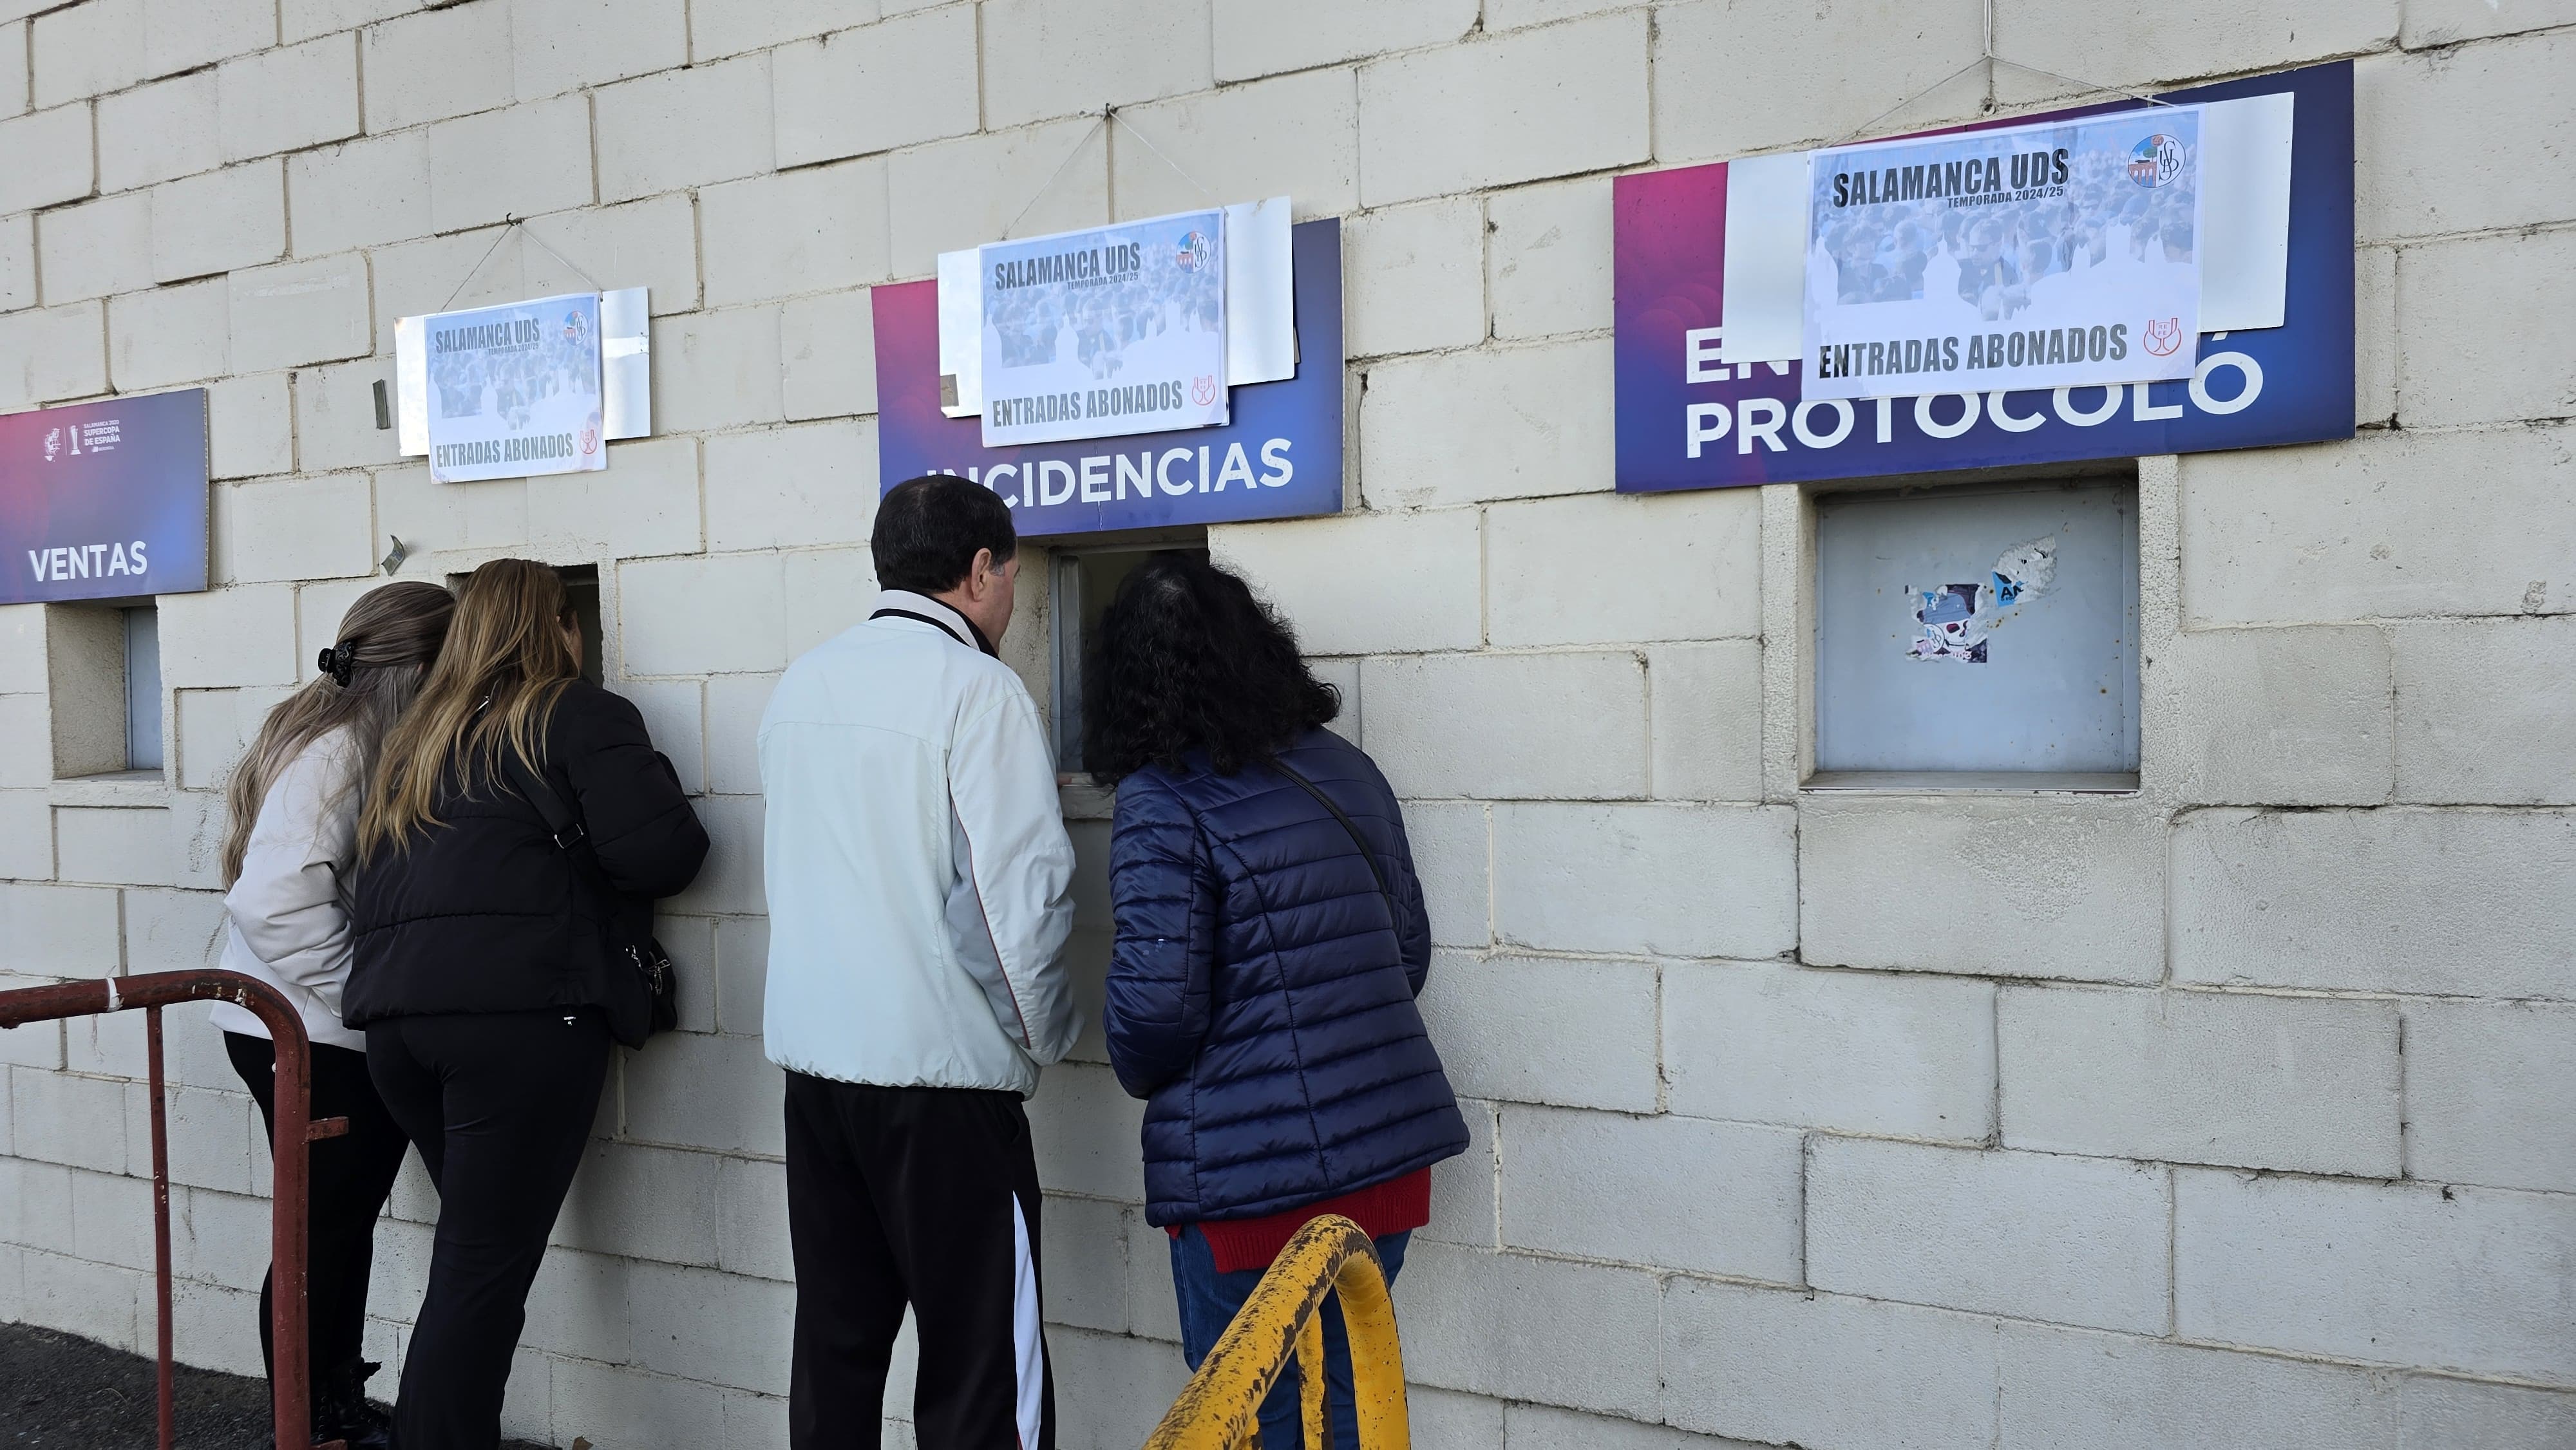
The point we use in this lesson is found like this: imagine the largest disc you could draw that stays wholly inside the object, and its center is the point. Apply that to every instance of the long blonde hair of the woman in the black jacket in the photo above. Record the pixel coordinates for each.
(493, 689)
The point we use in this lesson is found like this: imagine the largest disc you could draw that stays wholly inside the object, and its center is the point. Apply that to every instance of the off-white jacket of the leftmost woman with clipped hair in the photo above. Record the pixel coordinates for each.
(287, 900)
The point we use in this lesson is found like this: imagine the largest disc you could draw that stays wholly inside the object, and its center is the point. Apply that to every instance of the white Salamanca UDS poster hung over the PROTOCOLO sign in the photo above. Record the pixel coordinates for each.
(2018, 259)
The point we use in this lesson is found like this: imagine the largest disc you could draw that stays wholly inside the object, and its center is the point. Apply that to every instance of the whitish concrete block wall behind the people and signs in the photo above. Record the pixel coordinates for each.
(2222, 1114)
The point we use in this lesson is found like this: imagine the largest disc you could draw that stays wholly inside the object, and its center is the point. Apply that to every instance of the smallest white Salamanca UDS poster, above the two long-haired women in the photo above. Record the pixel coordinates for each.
(516, 390)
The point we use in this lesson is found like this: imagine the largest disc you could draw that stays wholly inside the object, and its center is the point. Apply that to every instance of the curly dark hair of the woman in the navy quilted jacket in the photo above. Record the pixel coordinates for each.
(1191, 661)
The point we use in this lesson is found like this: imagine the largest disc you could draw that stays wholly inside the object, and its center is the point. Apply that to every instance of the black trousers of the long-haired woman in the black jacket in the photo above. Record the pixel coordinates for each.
(501, 1106)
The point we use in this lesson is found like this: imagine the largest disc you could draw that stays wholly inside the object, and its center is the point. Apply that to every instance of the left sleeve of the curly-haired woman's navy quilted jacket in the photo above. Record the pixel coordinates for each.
(1163, 905)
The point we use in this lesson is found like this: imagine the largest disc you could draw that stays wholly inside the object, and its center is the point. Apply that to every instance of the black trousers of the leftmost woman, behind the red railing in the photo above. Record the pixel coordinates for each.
(346, 1189)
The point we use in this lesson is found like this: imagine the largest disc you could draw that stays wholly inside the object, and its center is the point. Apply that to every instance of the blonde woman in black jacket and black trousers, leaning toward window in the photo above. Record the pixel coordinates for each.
(493, 962)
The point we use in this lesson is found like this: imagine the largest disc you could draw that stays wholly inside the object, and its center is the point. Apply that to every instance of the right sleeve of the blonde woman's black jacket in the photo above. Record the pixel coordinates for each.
(640, 825)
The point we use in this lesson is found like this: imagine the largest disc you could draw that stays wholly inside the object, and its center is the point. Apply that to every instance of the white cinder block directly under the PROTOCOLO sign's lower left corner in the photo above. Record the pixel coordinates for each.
(1557, 568)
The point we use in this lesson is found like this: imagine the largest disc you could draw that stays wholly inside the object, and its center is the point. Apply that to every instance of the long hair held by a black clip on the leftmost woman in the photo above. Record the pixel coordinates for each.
(385, 645)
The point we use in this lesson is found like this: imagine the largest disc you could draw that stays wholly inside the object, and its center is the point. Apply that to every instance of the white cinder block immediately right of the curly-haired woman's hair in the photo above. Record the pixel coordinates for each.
(1418, 704)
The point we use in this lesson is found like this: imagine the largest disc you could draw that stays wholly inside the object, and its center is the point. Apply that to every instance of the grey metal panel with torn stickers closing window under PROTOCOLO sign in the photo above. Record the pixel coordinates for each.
(2060, 684)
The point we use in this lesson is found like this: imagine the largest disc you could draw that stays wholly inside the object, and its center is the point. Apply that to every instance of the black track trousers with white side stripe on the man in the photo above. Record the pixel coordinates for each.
(921, 1196)
